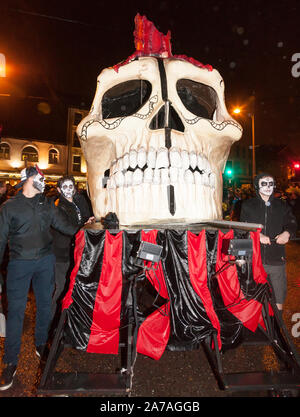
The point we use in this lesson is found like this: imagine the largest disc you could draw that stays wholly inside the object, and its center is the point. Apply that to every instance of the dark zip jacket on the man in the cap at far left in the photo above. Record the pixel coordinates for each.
(25, 223)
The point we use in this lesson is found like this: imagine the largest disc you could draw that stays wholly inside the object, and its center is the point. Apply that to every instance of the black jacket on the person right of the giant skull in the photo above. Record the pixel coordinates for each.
(276, 218)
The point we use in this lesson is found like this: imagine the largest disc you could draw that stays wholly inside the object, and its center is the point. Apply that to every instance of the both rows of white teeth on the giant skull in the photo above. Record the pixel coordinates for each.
(161, 167)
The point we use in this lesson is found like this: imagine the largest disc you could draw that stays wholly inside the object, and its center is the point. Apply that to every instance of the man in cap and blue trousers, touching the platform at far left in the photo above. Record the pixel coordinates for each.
(25, 222)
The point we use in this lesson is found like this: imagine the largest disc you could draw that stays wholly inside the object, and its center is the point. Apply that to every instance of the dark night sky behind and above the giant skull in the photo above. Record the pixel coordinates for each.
(56, 49)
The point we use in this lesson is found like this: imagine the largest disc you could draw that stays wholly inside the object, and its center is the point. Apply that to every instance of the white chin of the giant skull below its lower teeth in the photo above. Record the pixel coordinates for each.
(147, 204)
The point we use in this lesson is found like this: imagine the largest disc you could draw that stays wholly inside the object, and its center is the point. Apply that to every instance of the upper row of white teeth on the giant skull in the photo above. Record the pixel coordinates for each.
(163, 158)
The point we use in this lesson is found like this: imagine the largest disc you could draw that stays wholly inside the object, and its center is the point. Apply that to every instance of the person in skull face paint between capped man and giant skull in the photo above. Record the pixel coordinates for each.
(75, 206)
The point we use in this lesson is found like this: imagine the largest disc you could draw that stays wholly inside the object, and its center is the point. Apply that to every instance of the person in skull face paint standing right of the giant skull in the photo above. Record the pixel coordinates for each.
(279, 225)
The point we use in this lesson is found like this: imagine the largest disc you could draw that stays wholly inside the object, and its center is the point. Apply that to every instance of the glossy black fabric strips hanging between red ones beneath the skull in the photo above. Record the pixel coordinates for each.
(190, 323)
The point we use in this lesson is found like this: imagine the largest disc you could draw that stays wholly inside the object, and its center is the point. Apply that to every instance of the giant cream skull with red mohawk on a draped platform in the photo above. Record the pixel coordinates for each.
(158, 136)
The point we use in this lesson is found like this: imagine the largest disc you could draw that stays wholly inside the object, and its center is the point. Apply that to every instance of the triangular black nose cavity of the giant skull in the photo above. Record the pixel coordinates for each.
(167, 117)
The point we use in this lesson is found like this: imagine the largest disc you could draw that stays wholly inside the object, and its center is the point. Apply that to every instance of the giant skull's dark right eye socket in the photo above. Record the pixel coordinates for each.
(198, 98)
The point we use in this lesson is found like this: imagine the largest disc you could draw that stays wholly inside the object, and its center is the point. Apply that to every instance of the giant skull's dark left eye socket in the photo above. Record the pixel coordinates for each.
(125, 99)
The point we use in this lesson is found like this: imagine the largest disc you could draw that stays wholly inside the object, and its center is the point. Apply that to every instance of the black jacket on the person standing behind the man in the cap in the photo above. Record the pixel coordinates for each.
(79, 213)
